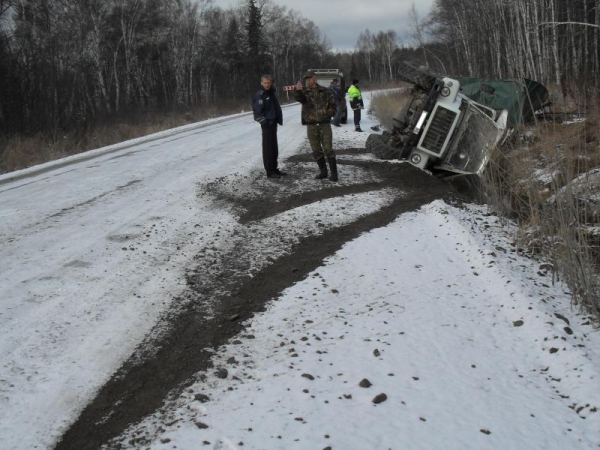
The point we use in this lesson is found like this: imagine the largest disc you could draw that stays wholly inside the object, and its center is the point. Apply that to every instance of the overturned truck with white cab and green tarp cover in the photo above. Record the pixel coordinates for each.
(452, 125)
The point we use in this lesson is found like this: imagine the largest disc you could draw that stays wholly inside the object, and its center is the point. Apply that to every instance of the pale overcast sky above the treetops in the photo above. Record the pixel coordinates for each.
(343, 20)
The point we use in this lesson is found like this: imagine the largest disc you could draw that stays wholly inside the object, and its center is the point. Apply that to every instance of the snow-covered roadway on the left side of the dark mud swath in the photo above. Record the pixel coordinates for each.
(93, 251)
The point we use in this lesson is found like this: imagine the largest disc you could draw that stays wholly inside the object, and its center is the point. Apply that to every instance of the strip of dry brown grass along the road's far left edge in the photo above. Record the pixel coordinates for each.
(19, 152)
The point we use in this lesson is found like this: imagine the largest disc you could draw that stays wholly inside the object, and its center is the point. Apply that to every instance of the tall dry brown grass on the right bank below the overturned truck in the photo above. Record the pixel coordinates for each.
(549, 182)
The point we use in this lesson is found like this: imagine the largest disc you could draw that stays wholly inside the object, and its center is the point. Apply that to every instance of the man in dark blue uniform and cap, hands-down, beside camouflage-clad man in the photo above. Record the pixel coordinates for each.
(267, 112)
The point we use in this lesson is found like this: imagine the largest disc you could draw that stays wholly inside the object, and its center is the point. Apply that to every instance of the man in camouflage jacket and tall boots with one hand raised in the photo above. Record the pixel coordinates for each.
(318, 106)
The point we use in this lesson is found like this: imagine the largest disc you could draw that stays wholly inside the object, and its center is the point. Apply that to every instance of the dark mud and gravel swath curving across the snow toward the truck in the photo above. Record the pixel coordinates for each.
(232, 280)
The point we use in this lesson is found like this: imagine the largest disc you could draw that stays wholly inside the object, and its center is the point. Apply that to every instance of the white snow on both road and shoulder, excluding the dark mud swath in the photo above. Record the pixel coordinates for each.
(468, 340)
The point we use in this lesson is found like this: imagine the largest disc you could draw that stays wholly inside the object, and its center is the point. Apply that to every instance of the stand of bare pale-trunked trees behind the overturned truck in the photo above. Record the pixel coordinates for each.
(549, 40)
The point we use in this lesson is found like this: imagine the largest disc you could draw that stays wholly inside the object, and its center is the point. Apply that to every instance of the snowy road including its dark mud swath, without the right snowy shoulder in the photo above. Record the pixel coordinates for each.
(119, 273)
